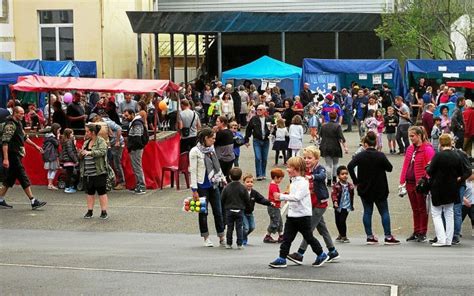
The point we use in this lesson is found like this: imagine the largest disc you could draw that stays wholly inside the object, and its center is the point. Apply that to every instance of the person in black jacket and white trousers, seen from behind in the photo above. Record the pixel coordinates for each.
(445, 170)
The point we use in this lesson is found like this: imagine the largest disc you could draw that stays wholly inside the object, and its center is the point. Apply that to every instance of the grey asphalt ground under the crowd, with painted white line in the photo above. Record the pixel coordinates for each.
(150, 246)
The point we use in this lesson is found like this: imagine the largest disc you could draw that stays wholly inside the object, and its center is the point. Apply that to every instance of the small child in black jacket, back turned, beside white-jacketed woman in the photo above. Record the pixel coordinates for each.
(235, 200)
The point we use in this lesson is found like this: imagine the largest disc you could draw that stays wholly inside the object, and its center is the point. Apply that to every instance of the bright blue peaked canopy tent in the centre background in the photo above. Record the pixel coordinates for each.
(285, 75)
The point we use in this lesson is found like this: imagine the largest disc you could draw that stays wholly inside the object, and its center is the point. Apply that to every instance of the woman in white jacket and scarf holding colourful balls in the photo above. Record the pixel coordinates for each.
(206, 175)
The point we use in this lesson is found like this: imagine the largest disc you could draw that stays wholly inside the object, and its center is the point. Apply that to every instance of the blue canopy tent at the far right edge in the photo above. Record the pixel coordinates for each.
(439, 71)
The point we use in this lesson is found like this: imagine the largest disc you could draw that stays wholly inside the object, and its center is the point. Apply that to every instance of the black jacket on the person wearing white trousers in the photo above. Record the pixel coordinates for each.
(444, 169)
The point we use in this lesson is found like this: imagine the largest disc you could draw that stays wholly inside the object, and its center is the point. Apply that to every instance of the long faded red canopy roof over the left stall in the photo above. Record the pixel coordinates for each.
(37, 83)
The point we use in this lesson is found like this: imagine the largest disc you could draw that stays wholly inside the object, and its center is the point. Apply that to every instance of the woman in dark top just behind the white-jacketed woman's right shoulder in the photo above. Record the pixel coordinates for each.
(224, 144)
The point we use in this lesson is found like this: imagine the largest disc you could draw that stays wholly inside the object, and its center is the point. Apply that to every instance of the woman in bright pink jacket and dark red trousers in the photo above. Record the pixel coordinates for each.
(417, 156)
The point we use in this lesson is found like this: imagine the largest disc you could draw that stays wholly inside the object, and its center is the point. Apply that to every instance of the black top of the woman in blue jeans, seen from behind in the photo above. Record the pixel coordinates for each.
(371, 178)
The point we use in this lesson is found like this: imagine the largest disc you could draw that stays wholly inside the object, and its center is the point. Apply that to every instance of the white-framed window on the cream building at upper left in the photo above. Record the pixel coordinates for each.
(56, 35)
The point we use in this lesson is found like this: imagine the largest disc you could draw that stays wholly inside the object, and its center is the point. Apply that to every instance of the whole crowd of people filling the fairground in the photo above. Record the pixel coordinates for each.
(209, 119)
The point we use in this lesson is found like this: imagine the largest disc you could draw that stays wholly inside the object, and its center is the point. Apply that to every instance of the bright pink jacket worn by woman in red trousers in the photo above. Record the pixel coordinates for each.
(423, 156)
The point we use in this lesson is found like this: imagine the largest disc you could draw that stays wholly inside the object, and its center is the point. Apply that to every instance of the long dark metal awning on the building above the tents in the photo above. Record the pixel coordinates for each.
(250, 22)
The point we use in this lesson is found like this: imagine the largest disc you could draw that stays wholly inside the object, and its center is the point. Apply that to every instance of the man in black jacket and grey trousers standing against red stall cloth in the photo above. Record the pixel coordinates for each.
(135, 146)
